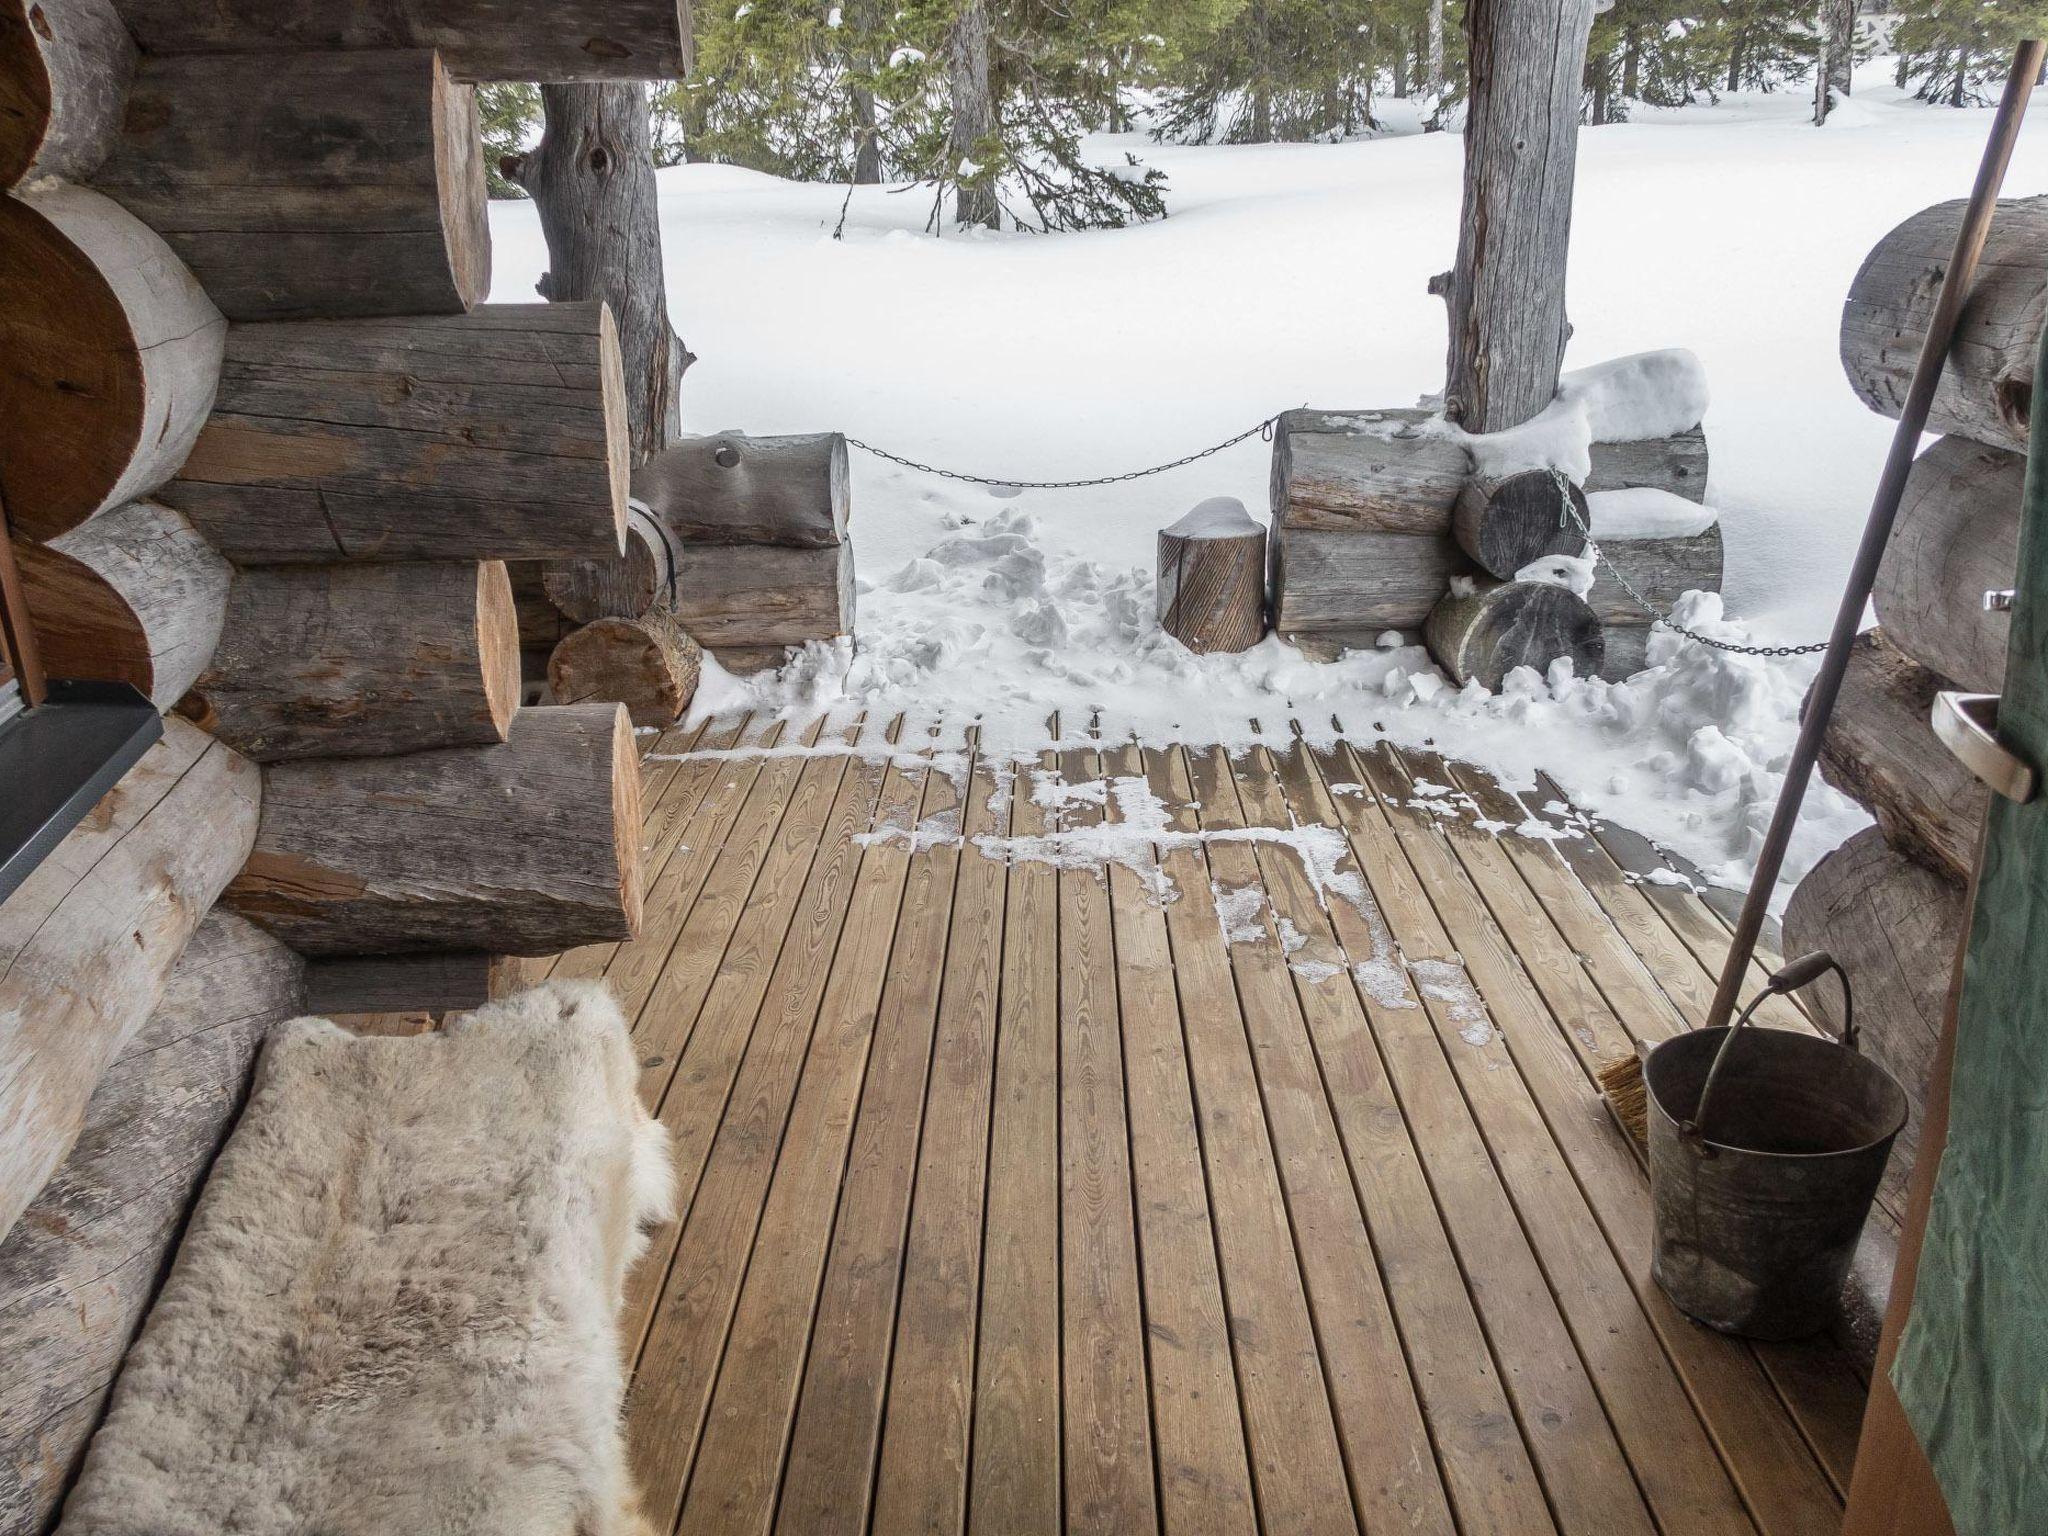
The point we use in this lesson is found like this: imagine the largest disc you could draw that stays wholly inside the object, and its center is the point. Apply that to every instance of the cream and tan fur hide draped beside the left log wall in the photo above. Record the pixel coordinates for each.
(396, 1310)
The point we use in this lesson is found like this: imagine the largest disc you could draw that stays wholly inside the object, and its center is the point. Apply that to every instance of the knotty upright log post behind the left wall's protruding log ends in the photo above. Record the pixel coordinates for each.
(593, 181)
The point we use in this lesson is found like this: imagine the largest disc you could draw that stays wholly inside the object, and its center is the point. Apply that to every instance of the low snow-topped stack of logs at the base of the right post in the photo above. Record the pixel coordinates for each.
(1375, 517)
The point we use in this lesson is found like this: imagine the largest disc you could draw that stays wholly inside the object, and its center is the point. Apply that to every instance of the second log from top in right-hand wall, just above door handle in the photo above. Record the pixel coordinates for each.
(1955, 542)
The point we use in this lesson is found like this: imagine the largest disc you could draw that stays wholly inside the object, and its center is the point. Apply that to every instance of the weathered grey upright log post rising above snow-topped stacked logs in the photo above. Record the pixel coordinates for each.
(1521, 140)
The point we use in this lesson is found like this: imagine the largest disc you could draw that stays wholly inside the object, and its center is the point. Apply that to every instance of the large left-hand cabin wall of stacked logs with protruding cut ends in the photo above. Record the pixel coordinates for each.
(265, 462)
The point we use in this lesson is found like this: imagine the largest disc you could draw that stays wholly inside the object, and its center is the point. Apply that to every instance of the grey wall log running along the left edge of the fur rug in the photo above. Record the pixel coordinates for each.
(81, 1267)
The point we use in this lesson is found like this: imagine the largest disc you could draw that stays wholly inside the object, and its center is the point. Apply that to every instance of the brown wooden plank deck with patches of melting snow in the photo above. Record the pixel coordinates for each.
(1021, 1201)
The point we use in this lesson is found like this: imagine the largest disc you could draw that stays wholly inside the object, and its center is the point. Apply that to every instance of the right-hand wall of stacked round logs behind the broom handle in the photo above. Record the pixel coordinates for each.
(1889, 904)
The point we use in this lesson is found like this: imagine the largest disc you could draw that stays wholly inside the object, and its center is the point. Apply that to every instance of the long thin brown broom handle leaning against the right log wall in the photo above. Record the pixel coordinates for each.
(1879, 529)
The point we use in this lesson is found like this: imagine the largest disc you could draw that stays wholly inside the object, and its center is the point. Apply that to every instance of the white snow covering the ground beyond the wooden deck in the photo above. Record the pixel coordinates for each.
(1295, 275)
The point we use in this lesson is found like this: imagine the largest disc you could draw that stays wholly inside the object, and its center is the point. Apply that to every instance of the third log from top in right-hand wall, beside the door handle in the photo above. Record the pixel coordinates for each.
(1881, 751)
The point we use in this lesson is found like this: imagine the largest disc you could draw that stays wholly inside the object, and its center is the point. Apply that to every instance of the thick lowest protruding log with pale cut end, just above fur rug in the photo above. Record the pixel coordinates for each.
(521, 849)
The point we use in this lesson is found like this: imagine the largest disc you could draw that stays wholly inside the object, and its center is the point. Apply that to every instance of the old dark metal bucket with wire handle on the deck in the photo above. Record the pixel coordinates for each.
(1766, 1152)
